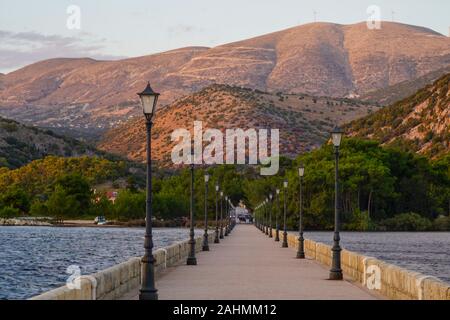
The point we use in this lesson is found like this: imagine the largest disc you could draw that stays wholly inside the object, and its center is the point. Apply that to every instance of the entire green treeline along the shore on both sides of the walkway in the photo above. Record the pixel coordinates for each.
(381, 189)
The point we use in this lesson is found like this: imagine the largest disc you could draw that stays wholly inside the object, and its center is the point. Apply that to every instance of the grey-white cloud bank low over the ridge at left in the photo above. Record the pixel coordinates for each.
(18, 49)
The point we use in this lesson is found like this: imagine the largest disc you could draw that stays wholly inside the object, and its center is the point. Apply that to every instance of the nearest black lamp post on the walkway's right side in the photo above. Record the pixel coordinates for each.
(336, 271)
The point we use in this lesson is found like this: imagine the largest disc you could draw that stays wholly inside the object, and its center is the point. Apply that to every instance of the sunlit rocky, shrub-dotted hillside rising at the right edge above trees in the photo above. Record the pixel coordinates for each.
(420, 123)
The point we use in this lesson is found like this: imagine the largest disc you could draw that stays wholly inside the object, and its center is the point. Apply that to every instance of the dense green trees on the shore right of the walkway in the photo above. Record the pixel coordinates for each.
(381, 188)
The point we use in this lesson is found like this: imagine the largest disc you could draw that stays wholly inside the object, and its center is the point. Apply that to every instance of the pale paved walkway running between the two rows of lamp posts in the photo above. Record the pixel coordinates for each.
(247, 265)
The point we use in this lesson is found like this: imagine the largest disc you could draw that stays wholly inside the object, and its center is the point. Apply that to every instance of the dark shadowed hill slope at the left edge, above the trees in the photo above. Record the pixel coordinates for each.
(20, 144)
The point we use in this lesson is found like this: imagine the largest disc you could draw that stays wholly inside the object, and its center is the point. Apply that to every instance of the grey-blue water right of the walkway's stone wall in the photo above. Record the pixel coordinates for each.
(425, 252)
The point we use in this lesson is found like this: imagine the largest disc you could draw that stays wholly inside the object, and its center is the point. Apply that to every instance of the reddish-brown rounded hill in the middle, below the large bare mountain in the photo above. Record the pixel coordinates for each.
(304, 121)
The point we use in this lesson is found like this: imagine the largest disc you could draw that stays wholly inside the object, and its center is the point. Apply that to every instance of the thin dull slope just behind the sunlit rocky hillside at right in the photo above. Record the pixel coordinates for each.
(402, 90)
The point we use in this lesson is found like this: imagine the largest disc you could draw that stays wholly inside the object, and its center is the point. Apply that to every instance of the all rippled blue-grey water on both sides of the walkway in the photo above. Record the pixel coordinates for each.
(35, 259)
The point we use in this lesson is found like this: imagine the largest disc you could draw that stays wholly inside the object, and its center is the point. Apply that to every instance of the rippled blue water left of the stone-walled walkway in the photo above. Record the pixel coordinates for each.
(35, 259)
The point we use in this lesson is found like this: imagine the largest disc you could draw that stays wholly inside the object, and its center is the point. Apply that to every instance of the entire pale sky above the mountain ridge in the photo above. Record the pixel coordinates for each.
(31, 31)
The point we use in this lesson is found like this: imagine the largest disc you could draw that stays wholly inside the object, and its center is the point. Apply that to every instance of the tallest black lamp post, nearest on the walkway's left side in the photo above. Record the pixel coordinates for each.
(149, 99)
